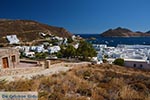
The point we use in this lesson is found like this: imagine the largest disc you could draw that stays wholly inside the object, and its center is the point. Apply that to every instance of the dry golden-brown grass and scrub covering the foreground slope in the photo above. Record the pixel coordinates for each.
(93, 82)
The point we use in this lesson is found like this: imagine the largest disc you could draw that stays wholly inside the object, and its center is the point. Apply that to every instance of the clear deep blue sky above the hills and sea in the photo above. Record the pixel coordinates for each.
(81, 16)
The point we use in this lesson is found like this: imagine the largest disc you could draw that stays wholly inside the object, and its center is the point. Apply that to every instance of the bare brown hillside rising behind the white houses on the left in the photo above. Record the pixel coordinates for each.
(28, 30)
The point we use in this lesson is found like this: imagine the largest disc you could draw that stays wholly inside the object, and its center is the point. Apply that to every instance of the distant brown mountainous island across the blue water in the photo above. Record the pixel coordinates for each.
(124, 32)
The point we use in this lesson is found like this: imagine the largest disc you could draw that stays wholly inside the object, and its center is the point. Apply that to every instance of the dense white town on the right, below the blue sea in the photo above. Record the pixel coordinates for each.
(135, 56)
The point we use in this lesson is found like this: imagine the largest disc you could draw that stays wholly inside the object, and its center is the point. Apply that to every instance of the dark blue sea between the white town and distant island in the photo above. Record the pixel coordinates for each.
(114, 41)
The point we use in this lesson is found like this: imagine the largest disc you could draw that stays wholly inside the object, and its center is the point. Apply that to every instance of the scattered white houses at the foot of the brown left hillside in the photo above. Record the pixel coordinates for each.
(50, 45)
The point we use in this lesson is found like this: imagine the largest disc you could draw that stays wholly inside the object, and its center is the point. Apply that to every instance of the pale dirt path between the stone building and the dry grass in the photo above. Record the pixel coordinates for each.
(56, 68)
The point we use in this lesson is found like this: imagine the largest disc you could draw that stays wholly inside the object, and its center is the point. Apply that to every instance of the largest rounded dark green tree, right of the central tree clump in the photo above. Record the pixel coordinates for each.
(86, 50)
